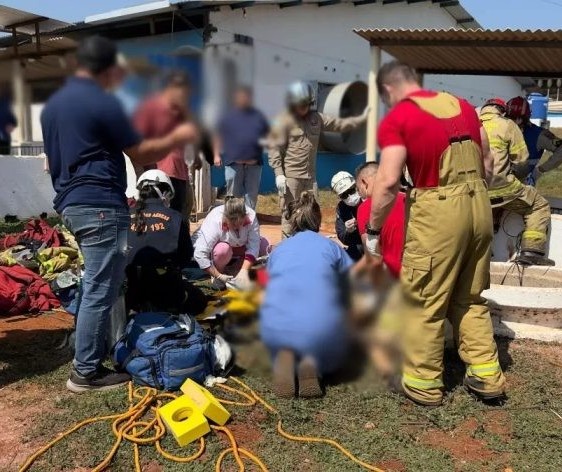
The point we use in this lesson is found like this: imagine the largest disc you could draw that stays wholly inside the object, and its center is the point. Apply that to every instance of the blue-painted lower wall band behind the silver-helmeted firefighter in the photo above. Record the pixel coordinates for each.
(326, 166)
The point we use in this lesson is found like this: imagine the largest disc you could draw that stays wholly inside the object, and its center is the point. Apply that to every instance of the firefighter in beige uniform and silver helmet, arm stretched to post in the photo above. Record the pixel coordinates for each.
(293, 144)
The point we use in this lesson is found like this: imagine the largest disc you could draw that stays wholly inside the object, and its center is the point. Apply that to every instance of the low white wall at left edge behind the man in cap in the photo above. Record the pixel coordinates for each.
(26, 188)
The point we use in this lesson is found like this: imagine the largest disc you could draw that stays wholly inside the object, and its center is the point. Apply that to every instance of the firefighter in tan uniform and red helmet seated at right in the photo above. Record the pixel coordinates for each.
(510, 156)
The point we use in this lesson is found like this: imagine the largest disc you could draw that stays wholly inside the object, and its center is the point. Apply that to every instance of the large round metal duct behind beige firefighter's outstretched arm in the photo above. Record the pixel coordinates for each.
(343, 100)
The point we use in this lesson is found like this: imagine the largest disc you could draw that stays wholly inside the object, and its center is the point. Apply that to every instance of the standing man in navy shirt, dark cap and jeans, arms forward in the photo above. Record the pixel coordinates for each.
(85, 131)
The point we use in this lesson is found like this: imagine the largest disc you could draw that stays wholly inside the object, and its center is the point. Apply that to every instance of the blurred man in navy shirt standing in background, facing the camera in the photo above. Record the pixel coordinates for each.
(239, 134)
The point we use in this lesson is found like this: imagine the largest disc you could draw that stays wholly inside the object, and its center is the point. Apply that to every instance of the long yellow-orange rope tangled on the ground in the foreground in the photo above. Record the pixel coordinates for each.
(131, 427)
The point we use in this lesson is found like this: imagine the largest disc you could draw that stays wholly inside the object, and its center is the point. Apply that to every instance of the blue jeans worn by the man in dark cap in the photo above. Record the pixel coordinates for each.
(101, 233)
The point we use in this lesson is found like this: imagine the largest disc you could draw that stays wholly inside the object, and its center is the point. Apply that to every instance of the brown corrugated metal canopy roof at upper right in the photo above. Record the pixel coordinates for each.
(475, 51)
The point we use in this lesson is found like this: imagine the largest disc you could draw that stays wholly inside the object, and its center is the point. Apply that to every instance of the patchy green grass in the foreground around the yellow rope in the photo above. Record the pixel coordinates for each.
(377, 426)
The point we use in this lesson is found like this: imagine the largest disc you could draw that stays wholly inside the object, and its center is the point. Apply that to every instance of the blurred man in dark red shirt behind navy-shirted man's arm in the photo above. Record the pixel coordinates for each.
(159, 115)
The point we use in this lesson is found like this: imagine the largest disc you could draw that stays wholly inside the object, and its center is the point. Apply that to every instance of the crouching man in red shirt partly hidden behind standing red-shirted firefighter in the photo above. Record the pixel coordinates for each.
(392, 232)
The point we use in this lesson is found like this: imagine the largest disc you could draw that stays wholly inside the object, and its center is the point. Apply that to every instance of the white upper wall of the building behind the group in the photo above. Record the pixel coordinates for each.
(317, 43)
